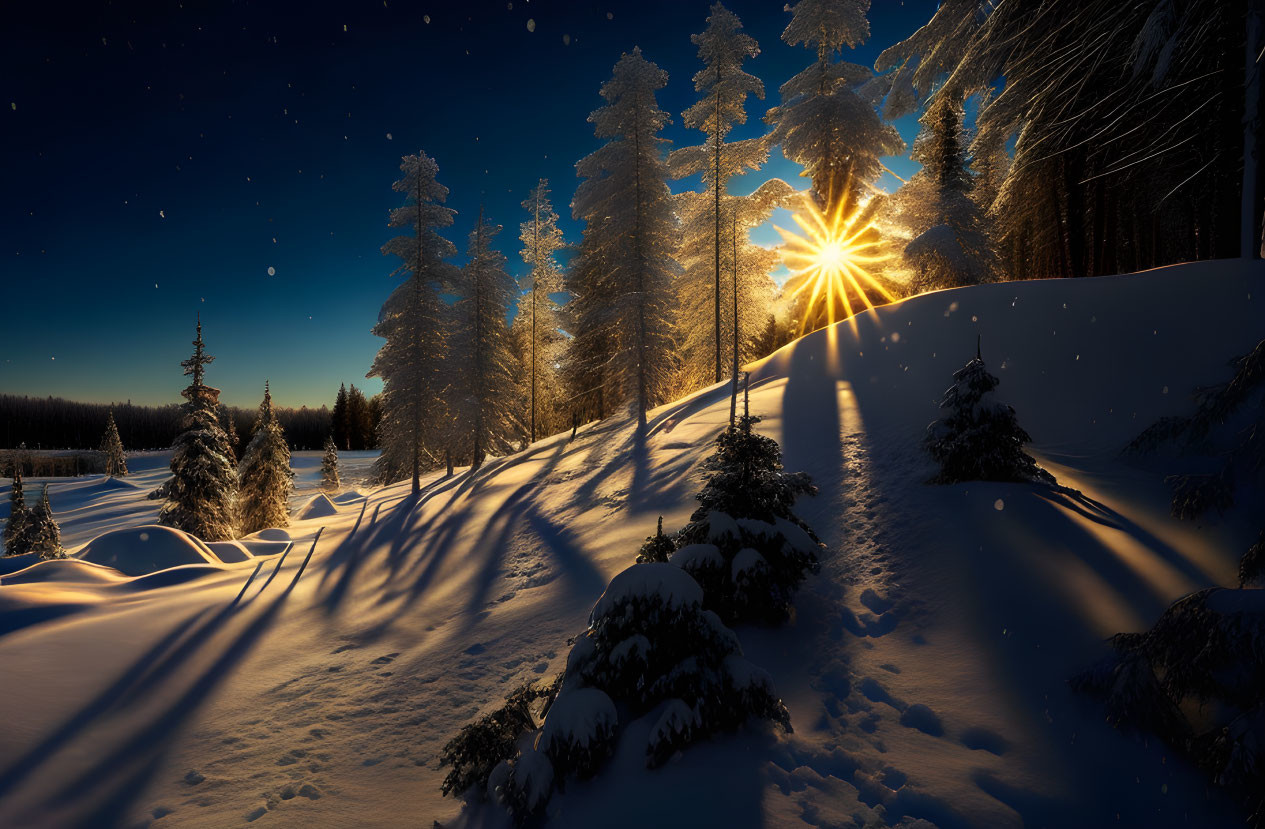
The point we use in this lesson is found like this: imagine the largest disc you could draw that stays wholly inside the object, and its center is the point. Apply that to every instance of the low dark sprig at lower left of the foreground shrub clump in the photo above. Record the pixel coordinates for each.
(478, 750)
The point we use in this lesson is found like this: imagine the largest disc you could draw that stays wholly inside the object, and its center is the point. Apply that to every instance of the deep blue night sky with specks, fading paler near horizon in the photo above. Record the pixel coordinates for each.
(160, 159)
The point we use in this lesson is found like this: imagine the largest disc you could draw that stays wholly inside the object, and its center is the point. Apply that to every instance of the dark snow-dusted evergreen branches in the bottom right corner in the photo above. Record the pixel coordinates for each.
(1207, 647)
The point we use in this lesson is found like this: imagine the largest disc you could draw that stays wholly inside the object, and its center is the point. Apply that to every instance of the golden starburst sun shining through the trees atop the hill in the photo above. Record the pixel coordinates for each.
(829, 261)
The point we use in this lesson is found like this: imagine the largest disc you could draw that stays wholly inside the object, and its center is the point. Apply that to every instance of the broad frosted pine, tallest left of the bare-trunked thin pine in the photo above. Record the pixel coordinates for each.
(623, 279)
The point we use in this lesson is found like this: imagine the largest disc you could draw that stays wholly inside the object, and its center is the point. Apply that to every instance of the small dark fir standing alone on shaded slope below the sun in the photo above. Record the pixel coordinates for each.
(981, 439)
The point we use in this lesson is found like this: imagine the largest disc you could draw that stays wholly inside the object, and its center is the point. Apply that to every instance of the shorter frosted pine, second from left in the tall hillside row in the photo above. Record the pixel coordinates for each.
(484, 418)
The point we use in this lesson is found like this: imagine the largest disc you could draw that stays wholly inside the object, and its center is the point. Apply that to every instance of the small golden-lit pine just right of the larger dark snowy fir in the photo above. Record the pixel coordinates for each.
(266, 477)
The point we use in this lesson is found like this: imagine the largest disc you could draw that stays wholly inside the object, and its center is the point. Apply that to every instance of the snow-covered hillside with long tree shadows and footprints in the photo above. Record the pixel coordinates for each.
(925, 670)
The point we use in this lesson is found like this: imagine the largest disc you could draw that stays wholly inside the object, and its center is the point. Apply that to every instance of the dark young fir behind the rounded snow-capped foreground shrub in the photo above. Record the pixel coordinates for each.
(744, 545)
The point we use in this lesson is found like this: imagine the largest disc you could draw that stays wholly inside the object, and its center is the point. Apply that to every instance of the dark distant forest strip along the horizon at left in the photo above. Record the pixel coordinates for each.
(55, 423)
